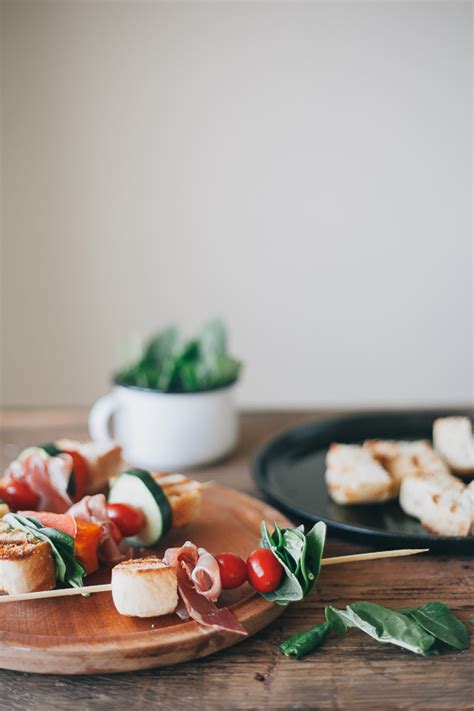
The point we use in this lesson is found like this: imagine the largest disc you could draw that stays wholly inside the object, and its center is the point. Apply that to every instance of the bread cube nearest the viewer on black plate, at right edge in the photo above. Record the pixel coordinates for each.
(448, 513)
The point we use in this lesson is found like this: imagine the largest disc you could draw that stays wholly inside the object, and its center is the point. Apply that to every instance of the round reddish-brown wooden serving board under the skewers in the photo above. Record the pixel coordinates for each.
(79, 635)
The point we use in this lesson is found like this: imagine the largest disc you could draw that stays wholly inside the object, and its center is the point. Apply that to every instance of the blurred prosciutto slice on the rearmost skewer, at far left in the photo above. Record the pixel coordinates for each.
(47, 476)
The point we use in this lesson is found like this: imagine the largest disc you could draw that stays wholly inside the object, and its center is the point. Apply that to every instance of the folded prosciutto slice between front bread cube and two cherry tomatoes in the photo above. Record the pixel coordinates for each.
(198, 577)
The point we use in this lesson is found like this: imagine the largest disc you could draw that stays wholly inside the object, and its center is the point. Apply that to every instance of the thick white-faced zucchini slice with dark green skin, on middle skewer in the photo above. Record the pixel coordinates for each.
(138, 488)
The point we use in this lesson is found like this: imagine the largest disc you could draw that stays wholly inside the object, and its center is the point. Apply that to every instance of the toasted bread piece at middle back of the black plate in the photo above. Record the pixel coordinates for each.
(402, 459)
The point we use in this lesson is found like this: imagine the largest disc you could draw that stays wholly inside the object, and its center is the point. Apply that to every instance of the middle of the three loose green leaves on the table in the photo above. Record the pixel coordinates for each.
(386, 626)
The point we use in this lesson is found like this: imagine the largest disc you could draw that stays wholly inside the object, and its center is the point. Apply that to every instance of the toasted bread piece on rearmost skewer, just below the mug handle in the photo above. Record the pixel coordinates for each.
(104, 460)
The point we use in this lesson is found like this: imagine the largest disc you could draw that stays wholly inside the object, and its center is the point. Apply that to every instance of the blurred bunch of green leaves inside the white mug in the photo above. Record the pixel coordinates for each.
(170, 364)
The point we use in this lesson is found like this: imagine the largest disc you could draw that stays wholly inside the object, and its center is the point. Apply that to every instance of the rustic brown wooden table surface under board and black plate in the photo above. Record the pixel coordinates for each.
(352, 672)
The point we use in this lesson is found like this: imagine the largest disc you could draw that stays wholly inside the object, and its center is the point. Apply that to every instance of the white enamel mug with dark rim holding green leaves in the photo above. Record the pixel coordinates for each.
(167, 431)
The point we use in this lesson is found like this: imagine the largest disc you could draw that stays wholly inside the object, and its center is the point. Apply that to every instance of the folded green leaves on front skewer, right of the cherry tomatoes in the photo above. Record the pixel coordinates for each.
(300, 556)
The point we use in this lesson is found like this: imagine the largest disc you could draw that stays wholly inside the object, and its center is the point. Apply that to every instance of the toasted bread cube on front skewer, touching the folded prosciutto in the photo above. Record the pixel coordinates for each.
(144, 587)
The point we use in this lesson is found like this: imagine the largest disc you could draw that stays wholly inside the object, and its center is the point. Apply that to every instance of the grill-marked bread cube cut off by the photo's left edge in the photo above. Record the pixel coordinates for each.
(26, 563)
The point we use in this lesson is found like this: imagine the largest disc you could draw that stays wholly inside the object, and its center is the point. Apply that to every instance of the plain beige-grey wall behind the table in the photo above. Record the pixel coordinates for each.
(302, 168)
